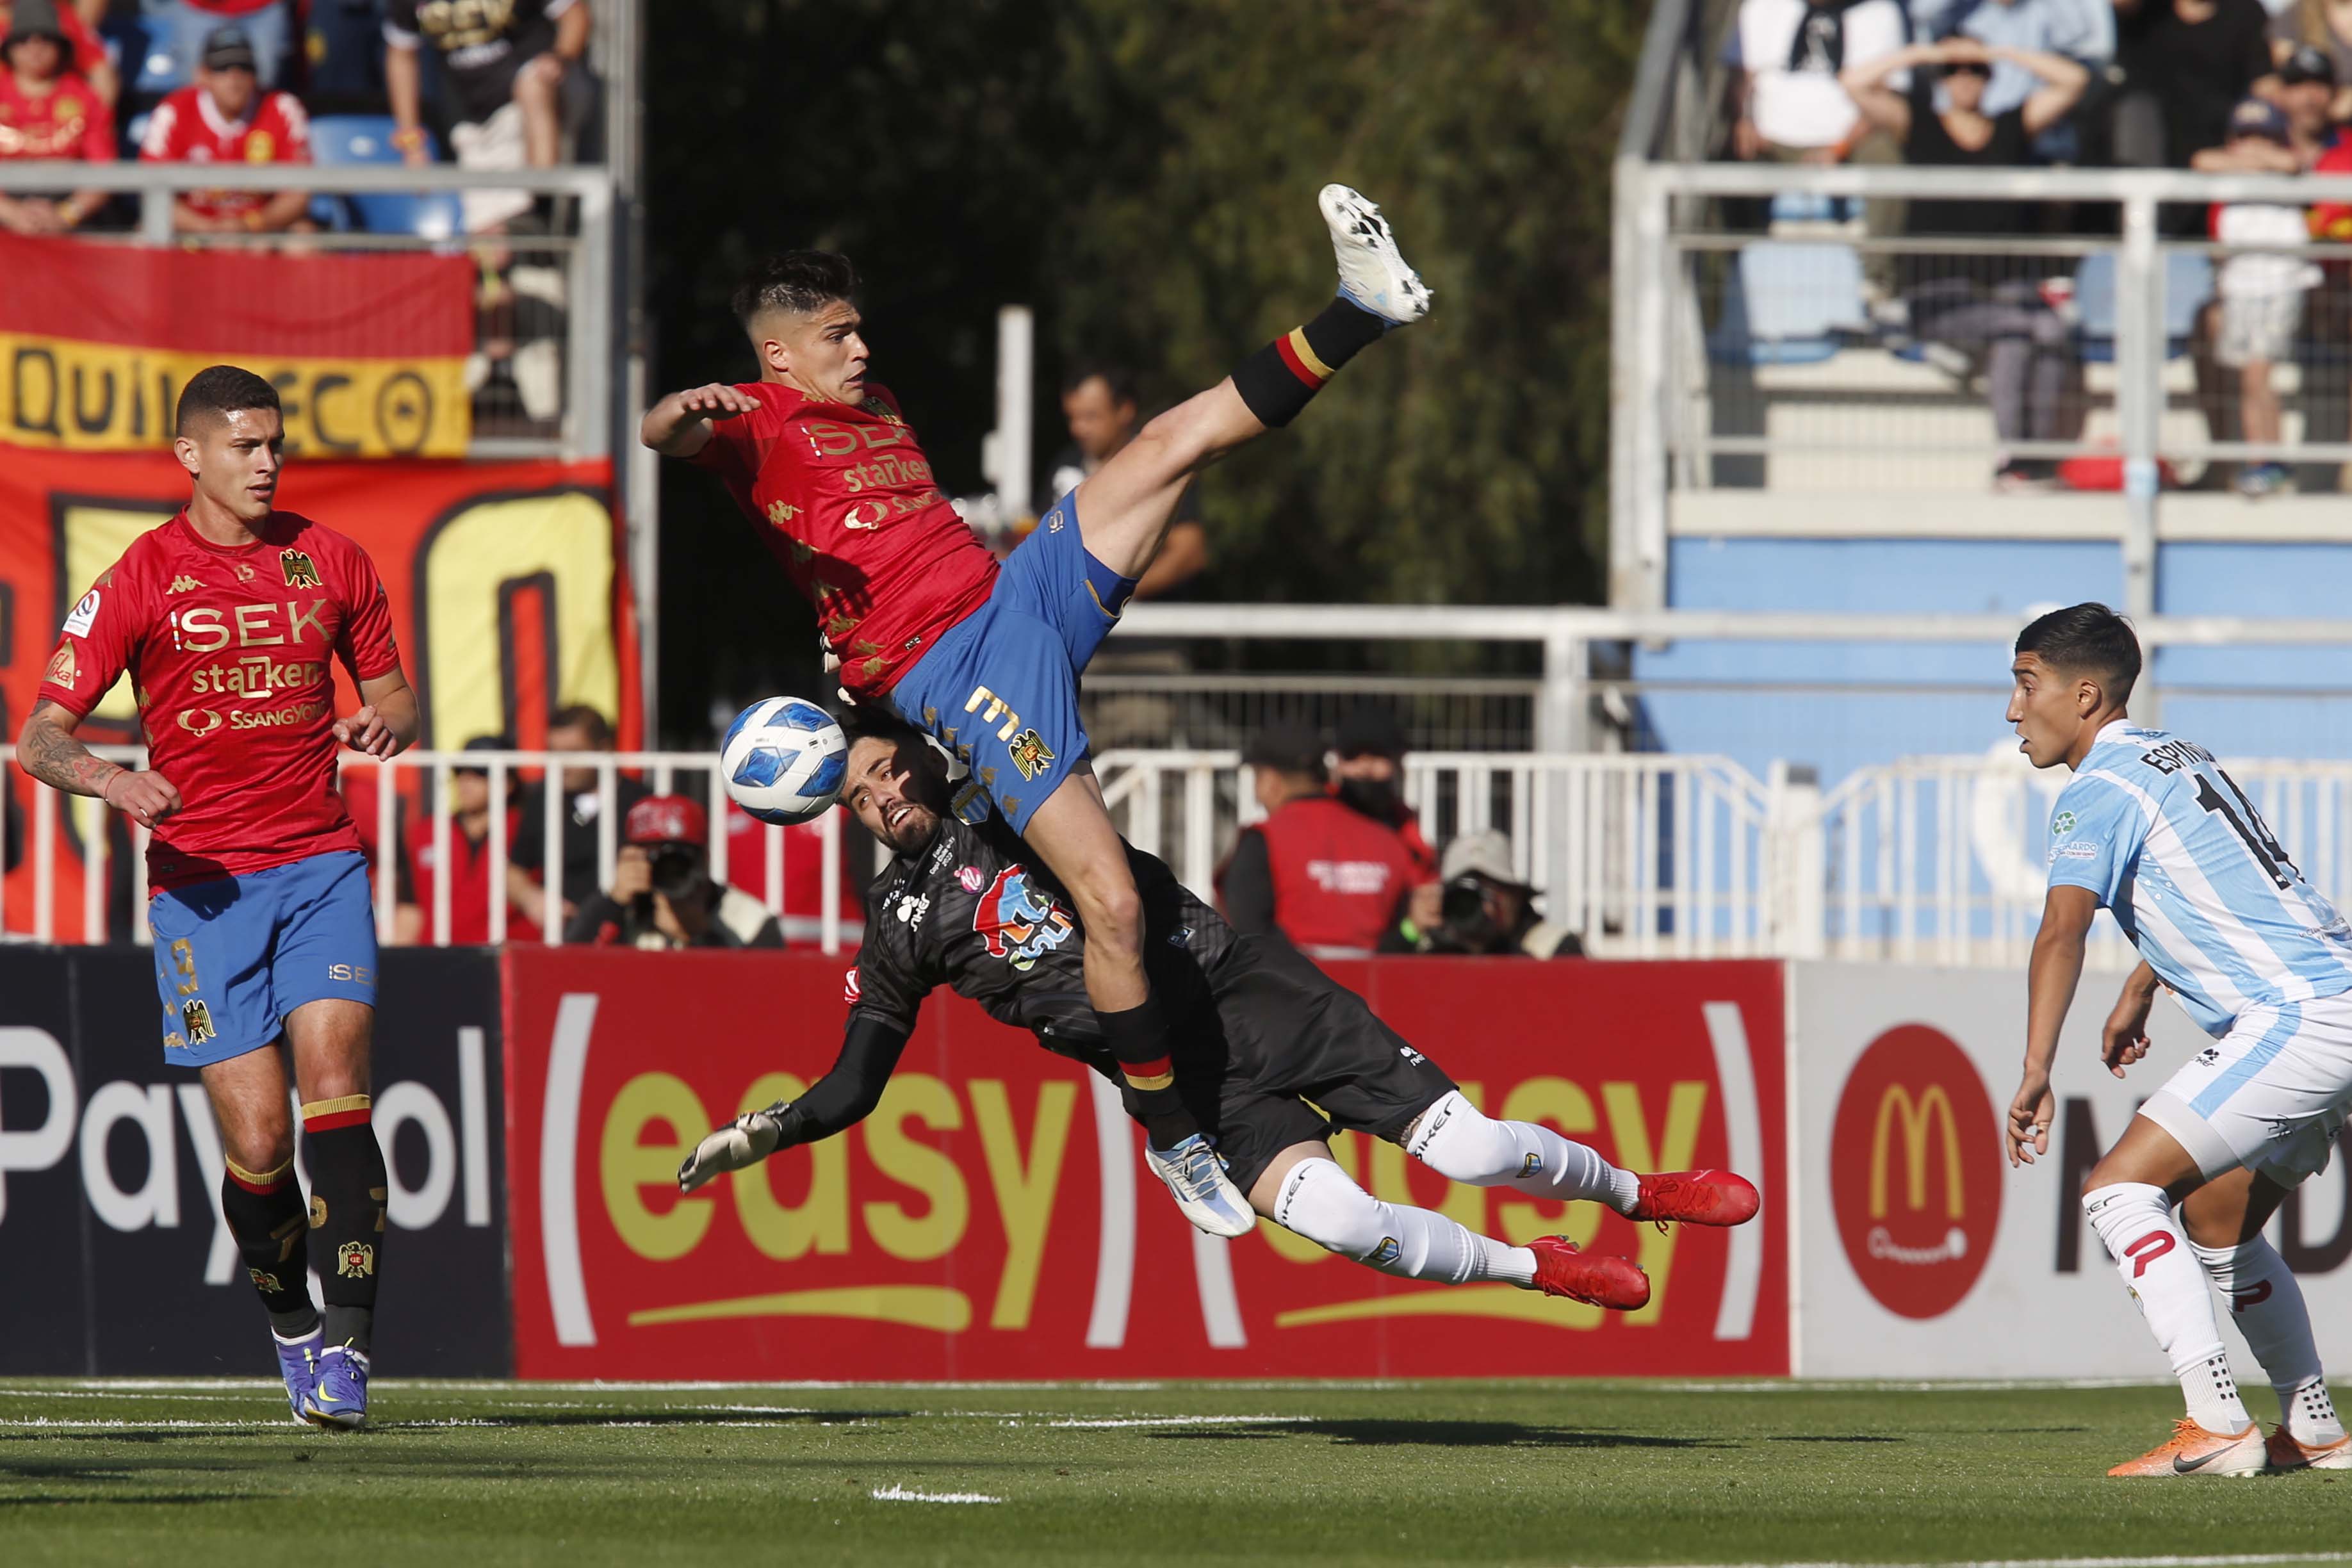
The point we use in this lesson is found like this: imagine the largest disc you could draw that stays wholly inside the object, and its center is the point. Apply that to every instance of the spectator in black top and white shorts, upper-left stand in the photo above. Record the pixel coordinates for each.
(505, 69)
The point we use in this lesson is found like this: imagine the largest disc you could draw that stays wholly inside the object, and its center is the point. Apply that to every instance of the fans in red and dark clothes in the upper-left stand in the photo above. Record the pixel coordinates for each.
(229, 81)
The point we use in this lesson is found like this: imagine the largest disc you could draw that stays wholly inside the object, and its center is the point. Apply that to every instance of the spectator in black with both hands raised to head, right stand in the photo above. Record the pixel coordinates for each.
(2000, 323)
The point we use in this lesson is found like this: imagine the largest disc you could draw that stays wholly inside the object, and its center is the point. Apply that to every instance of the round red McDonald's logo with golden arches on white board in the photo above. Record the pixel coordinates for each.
(1916, 1172)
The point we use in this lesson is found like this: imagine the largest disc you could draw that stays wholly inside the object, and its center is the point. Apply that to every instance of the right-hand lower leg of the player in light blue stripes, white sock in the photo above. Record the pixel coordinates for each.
(2224, 1224)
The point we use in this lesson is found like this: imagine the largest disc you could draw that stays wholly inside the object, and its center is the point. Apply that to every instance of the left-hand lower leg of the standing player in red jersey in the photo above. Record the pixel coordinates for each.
(262, 1205)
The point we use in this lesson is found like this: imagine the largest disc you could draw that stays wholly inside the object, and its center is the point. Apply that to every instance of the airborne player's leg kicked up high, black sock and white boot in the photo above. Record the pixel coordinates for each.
(1123, 511)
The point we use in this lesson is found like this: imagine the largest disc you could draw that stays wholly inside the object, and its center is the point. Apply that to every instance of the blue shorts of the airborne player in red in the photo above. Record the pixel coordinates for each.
(1001, 685)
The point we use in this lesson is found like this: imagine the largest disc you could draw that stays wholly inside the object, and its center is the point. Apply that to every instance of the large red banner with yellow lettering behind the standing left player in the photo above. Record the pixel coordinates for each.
(507, 582)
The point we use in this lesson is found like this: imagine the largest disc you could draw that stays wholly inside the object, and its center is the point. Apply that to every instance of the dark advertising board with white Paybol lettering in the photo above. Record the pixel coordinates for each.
(112, 1226)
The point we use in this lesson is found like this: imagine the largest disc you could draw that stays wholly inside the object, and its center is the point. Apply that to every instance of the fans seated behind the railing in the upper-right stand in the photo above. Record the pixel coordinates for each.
(2221, 86)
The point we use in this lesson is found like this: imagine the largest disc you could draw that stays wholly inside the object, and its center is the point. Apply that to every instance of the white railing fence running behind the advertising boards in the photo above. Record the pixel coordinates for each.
(1920, 862)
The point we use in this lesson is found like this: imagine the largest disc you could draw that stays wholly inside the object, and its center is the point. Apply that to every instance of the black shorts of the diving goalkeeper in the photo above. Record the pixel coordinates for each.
(1292, 1036)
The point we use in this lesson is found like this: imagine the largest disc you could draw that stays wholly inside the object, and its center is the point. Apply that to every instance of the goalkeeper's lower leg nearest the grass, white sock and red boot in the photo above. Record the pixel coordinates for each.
(1307, 1191)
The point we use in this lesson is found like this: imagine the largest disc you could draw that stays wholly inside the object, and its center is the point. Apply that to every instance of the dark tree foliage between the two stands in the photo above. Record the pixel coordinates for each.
(1144, 175)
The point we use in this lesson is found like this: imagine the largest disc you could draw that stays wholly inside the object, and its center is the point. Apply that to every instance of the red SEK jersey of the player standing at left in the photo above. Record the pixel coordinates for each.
(227, 650)
